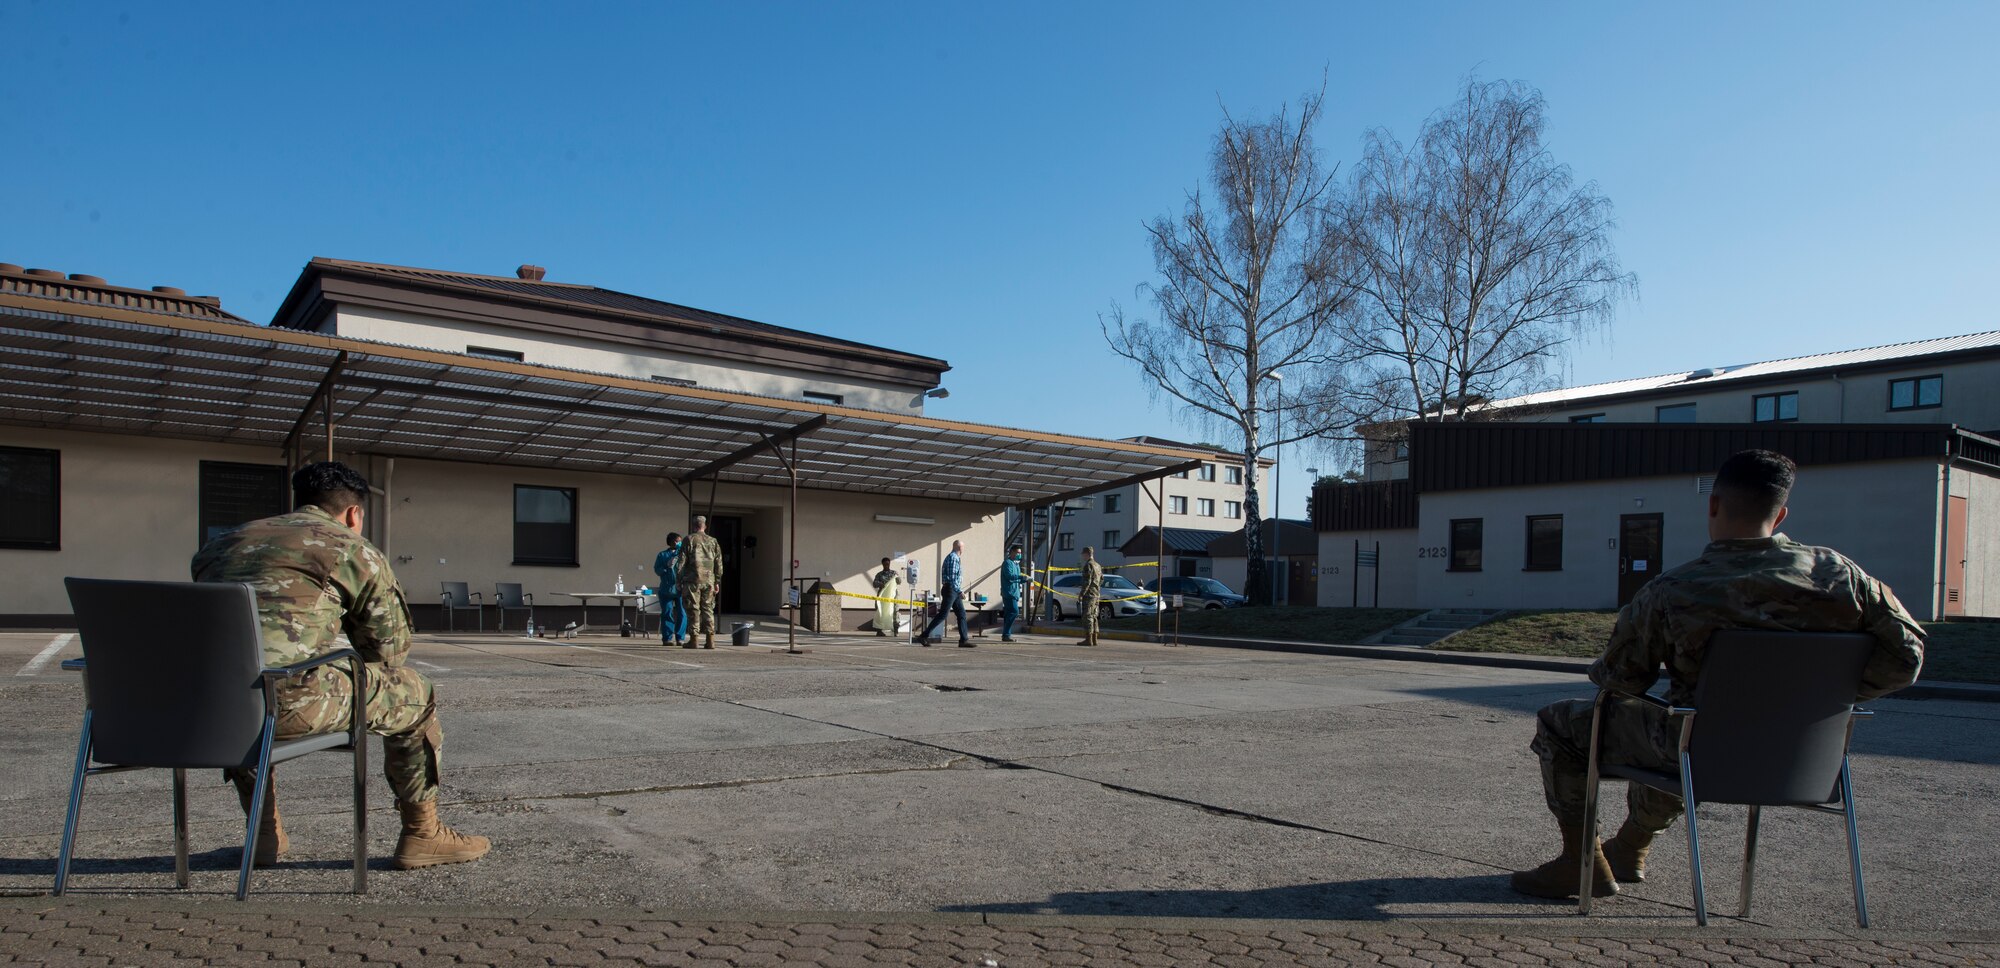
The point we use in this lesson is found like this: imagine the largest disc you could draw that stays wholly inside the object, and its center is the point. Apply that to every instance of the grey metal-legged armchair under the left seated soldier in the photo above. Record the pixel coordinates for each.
(175, 679)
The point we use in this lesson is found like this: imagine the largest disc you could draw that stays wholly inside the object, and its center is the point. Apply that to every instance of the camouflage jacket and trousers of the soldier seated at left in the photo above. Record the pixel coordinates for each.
(321, 587)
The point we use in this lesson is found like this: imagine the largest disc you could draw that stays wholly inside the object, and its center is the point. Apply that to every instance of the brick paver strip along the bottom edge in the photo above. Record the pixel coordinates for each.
(65, 933)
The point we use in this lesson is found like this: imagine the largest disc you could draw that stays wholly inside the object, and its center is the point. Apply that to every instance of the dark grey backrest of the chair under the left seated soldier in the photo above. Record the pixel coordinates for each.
(173, 671)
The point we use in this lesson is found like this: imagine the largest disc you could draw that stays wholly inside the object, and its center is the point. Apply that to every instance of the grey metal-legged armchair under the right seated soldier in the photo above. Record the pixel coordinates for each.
(1771, 727)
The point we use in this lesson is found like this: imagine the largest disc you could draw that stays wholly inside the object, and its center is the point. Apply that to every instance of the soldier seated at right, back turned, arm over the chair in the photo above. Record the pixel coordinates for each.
(1749, 577)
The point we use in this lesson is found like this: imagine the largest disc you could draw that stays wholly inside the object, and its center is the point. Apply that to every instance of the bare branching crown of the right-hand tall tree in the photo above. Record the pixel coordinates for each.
(1475, 259)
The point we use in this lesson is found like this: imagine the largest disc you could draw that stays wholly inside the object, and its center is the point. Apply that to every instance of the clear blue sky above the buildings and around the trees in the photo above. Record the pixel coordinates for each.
(969, 181)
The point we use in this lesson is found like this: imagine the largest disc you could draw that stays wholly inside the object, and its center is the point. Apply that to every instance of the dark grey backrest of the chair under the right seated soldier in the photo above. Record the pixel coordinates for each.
(1773, 715)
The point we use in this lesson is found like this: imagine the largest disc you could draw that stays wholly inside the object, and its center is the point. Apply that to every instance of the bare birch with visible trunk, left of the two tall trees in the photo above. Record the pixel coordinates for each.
(1247, 301)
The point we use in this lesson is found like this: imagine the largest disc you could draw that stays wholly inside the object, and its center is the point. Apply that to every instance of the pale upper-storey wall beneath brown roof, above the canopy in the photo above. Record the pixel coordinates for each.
(601, 357)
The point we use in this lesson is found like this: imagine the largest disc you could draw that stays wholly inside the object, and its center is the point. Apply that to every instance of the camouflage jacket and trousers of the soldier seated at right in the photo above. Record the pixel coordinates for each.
(1749, 583)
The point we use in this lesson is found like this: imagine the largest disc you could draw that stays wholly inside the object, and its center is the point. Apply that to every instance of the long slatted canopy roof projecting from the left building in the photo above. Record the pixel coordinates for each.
(127, 373)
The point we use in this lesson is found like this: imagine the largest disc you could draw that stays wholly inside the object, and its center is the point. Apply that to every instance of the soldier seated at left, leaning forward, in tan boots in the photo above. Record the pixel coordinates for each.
(323, 587)
